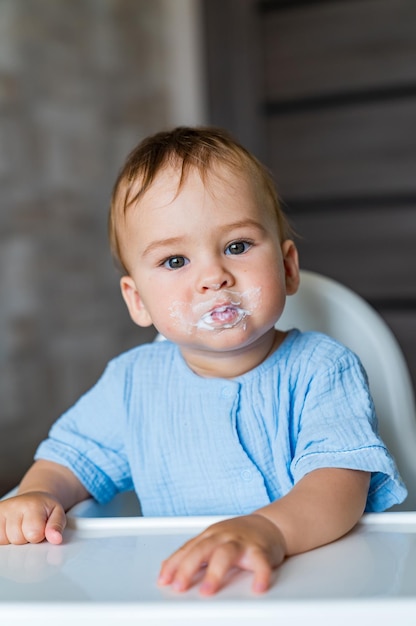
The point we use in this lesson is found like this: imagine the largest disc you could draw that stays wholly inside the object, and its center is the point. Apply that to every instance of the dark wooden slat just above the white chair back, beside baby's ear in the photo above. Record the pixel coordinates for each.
(372, 252)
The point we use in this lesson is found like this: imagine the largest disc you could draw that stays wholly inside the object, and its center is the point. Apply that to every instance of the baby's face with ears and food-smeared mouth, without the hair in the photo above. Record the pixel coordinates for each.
(206, 264)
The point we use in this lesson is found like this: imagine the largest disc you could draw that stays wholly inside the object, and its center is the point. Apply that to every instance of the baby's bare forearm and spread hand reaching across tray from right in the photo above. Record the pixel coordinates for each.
(320, 508)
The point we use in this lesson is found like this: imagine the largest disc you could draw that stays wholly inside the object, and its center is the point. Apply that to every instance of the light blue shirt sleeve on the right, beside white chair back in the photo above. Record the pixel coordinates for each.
(338, 428)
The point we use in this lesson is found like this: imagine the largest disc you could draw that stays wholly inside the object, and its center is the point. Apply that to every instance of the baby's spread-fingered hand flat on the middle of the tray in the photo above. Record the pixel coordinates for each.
(251, 542)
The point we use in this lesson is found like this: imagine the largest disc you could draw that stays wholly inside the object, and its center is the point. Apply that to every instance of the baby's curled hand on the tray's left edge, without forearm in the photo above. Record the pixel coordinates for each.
(31, 518)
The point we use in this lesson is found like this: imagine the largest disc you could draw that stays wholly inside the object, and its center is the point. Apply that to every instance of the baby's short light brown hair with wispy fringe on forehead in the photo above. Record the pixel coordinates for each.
(202, 148)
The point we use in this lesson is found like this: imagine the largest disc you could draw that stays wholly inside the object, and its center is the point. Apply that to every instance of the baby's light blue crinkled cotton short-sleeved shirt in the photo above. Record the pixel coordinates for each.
(204, 446)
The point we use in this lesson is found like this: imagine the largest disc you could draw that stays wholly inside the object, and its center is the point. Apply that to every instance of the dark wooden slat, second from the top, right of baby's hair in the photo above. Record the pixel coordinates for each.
(359, 150)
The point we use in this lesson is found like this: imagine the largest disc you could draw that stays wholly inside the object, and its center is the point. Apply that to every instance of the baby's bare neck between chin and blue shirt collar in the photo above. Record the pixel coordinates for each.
(234, 363)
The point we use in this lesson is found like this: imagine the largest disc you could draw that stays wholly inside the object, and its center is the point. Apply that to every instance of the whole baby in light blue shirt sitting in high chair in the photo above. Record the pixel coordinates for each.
(230, 415)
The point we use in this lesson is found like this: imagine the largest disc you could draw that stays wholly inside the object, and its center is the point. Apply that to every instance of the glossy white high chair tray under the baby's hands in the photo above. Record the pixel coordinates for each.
(105, 573)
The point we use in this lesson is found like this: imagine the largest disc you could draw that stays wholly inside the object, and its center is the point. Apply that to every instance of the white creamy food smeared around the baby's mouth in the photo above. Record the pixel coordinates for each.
(225, 310)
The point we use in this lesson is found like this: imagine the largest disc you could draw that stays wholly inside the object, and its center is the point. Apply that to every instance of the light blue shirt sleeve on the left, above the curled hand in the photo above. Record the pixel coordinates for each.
(89, 438)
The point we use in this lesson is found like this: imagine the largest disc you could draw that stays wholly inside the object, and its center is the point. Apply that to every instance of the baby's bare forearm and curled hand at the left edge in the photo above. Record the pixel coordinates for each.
(38, 510)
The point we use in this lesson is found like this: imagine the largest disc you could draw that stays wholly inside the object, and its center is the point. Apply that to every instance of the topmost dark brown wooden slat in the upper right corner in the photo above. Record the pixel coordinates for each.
(338, 47)
